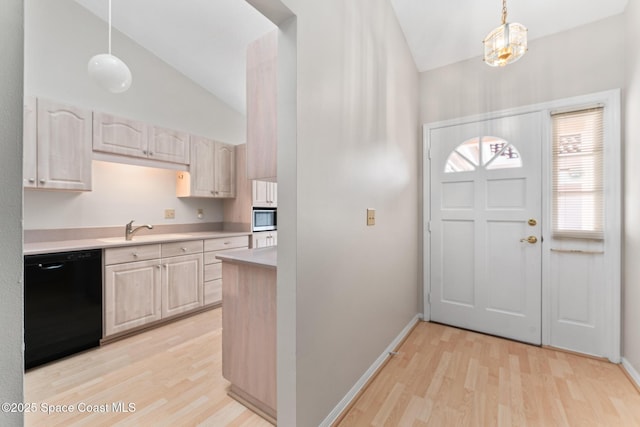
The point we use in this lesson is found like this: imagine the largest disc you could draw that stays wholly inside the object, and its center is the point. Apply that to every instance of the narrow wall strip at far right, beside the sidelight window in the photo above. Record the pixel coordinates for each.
(631, 248)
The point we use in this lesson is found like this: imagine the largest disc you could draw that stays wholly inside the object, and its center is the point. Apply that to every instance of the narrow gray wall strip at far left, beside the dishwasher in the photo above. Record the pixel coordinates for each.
(11, 354)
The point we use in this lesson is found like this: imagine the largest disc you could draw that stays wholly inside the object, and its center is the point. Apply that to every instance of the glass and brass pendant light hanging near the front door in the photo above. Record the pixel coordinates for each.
(505, 44)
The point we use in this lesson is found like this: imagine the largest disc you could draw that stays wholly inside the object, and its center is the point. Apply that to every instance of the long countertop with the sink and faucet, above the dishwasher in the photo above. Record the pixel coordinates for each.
(109, 242)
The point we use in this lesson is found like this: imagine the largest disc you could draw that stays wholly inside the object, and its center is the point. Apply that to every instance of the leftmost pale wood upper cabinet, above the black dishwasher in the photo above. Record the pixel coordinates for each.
(57, 146)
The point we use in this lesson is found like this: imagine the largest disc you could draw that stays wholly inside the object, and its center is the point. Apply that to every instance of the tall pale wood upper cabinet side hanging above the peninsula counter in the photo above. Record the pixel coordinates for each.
(262, 135)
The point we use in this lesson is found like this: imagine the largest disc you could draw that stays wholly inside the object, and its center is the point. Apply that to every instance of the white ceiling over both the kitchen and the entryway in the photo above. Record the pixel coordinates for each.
(206, 39)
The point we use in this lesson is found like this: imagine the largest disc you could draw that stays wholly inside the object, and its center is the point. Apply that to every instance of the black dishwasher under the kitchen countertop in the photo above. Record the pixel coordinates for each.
(62, 304)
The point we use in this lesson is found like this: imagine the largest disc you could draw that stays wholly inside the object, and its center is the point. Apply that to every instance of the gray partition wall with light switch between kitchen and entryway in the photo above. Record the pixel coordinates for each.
(355, 287)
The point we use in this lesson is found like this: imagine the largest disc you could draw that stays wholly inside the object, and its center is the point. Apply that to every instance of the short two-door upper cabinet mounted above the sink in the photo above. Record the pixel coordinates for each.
(117, 135)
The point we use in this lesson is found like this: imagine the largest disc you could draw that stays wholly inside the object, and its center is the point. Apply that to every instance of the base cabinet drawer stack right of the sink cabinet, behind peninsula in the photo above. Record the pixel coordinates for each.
(213, 266)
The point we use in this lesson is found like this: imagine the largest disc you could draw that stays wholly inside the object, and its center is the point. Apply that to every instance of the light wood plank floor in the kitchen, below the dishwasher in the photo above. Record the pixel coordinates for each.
(171, 374)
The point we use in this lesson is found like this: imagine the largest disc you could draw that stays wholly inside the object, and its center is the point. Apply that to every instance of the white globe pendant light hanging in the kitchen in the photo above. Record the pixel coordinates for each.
(108, 71)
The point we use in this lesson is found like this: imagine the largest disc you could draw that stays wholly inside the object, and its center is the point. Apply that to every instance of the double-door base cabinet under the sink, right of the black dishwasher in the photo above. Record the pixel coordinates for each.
(147, 283)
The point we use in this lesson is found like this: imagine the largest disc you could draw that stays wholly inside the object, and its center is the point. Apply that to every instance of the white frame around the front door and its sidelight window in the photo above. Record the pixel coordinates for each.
(613, 204)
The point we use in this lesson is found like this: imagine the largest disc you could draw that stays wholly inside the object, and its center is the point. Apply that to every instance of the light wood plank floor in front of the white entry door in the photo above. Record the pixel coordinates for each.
(444, 376)
